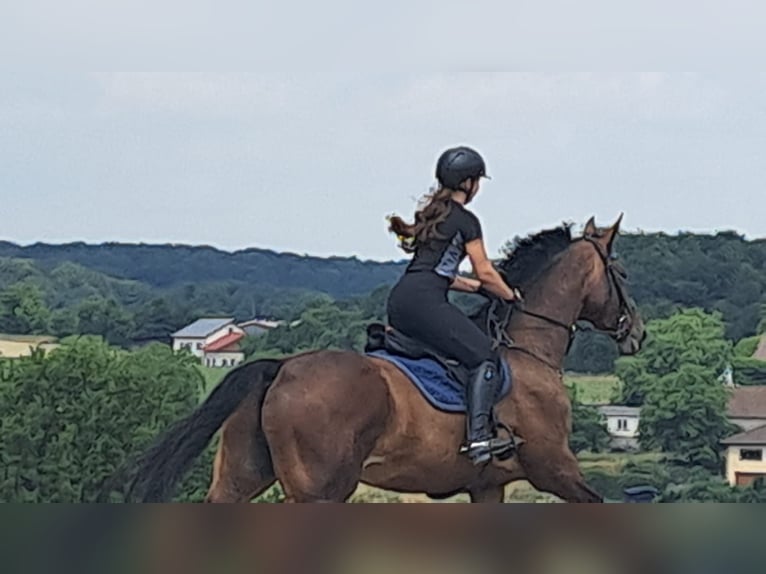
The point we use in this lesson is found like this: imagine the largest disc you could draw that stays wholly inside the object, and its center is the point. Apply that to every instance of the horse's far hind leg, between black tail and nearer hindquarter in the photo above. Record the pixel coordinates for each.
(243, 468)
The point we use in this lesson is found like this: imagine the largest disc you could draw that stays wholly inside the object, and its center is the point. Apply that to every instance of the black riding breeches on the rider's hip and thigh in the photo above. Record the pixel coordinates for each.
(418, 307)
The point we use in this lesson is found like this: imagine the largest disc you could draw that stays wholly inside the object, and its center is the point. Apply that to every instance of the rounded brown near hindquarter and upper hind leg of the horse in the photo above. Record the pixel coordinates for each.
(322, 417)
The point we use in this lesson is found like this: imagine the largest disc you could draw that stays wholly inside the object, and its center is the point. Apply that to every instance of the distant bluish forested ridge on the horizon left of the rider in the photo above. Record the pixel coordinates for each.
(174, 265)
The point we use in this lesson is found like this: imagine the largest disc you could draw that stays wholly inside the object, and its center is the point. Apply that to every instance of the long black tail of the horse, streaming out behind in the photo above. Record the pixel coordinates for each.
(165, 463)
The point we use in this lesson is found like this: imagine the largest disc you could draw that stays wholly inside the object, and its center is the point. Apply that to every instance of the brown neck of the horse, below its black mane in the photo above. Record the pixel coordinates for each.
(556, 296)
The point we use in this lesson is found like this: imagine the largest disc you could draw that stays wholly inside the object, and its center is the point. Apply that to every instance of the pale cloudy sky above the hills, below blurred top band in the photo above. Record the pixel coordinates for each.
(310, 162)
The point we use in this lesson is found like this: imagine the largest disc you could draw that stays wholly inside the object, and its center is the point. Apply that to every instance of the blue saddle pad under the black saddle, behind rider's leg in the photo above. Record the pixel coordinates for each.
(434, 381)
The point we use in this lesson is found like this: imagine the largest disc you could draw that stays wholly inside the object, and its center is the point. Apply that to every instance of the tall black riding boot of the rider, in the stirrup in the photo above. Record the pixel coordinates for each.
(481, 443)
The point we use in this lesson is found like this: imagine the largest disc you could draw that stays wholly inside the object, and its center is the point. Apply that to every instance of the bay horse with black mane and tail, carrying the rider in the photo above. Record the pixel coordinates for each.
(324, 421)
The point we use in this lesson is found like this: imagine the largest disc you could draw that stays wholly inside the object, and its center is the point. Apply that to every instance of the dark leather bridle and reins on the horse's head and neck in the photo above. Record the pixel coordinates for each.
(617, 278)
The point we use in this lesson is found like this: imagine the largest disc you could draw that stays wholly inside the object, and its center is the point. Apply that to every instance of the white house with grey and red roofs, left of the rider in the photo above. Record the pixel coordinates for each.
(214, 340)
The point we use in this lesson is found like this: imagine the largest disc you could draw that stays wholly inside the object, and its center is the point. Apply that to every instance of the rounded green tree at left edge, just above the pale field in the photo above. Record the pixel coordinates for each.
(23, 310)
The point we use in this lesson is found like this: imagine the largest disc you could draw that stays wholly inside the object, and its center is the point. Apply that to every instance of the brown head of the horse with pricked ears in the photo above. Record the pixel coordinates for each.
(607, 304)
